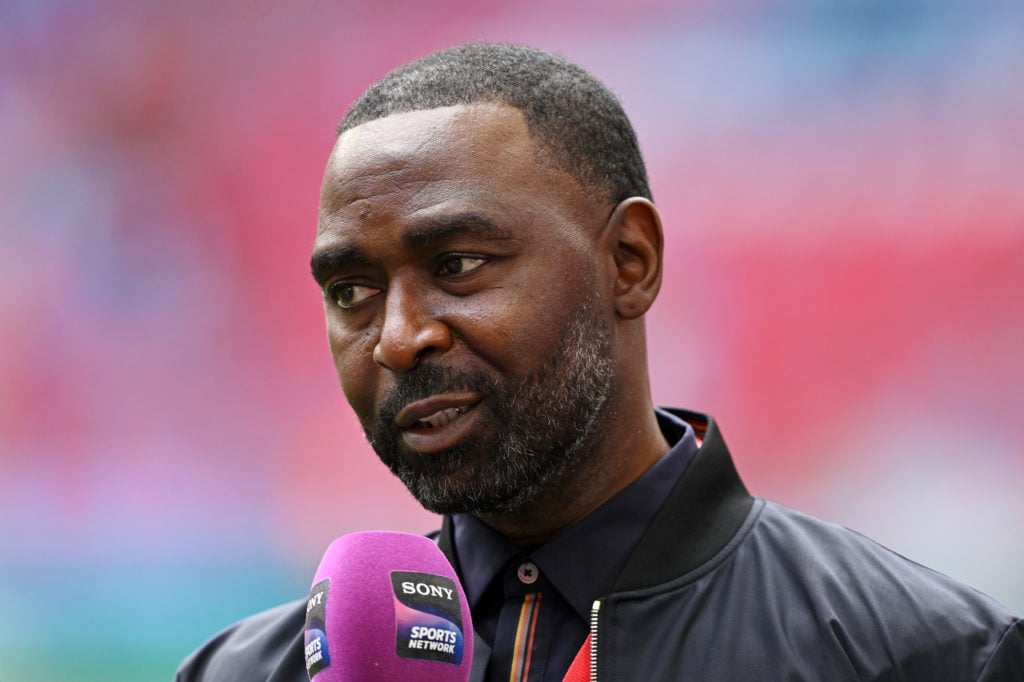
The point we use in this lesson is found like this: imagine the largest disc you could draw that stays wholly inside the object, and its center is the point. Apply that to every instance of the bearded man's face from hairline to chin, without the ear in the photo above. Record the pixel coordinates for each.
(465, 293)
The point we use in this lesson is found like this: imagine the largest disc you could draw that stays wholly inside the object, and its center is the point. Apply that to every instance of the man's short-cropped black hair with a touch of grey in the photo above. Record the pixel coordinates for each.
(570, 114)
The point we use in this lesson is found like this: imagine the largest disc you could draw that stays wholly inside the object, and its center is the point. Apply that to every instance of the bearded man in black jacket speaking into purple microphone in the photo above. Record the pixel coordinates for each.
(488, 248)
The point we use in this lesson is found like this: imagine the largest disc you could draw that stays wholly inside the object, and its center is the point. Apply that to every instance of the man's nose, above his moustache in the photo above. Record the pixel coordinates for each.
(409, 331)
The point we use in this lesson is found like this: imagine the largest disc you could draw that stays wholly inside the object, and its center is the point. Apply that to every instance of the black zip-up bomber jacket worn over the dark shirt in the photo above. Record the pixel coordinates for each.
(724, 586)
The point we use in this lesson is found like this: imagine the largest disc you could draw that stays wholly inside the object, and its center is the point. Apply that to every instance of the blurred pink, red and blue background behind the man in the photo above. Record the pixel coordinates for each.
(843, 191)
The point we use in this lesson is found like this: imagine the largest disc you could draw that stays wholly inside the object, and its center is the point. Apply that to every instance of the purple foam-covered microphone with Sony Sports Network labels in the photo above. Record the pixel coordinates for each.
(388, 607)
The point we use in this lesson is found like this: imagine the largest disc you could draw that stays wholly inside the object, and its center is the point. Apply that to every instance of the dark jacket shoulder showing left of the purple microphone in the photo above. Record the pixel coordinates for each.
(266, 647)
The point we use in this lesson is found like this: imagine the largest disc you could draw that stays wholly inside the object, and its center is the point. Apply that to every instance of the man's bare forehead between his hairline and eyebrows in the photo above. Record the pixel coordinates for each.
(477, 156)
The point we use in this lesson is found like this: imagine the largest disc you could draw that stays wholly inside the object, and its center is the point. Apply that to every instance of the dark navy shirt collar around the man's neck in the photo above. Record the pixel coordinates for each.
(585, 561)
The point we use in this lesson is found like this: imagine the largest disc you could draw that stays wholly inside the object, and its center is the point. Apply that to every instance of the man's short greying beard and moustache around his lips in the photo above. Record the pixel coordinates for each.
(542, 429)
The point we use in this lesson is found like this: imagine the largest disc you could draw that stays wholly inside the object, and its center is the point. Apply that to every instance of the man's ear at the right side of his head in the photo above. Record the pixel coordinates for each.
(634, 234)
